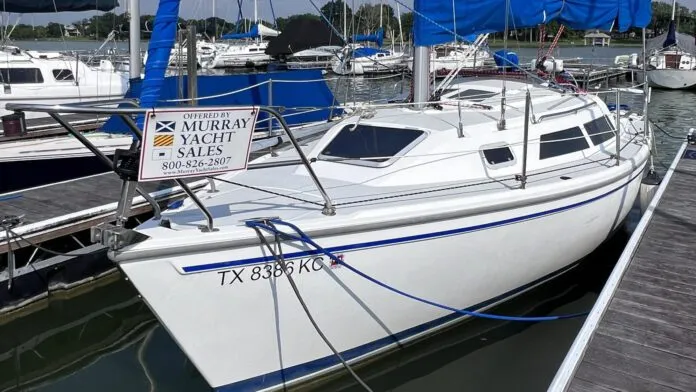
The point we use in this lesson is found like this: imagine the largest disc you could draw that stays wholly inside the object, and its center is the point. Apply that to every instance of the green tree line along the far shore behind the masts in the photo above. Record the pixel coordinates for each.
(365, 20)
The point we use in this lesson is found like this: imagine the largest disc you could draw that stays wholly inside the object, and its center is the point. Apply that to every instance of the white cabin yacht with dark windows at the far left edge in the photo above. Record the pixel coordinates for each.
(54, 78)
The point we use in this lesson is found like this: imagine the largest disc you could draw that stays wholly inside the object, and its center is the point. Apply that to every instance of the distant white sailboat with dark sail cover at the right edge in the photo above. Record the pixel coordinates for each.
(672, 62)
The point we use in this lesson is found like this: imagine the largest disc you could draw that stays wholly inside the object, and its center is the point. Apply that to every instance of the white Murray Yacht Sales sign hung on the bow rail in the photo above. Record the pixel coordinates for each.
(191, 142)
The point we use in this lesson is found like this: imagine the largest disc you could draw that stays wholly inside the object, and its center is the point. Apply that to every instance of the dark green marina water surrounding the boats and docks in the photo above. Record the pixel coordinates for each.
(105, 338)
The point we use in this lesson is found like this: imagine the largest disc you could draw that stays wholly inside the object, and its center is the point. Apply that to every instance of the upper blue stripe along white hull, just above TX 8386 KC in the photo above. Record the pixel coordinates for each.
(394, 241)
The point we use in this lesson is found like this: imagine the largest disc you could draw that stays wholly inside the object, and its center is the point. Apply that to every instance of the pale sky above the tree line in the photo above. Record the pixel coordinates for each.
(201, 9)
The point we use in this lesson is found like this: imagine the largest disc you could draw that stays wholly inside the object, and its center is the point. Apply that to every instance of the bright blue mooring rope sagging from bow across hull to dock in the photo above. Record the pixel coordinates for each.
(304, 238)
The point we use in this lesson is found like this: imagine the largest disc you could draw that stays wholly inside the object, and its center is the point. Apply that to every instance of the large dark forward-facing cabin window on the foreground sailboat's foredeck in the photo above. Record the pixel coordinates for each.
(371, 145)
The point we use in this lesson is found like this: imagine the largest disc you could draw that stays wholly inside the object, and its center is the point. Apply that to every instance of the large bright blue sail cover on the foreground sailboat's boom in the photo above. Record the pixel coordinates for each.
(435, 22)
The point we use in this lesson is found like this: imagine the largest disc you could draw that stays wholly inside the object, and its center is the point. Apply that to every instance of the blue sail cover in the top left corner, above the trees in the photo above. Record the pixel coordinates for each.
(40, 6)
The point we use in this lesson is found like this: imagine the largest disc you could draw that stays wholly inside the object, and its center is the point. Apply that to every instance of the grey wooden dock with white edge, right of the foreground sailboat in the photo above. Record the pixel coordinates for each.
(641, 333)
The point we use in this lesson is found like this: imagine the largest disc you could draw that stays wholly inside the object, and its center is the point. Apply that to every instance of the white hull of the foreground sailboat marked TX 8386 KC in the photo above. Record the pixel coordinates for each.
(238, 320)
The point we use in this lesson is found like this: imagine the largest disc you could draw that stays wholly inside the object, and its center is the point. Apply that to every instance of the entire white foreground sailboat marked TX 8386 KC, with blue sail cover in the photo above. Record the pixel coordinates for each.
(398, 221)
